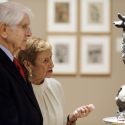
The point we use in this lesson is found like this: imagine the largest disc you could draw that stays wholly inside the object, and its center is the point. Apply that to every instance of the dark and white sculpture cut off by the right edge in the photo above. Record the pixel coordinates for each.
(120, 98)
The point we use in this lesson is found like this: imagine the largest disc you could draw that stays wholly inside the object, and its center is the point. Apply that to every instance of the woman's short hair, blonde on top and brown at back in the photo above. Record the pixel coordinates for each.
(34, 46)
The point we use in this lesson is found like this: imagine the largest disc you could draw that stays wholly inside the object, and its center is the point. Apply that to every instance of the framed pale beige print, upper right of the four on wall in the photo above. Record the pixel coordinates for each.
(95, 16)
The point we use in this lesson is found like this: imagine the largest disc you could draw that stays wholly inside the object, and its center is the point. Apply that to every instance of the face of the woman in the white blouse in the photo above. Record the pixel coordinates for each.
(43, 66)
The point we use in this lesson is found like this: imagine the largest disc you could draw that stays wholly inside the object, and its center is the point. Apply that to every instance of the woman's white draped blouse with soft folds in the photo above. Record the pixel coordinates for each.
(50, 98)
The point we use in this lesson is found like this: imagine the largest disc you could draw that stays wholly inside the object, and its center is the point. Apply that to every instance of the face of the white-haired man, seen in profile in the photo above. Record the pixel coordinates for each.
(17, 35)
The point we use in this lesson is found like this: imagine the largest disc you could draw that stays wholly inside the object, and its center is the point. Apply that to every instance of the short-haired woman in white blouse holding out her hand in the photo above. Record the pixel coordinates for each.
(37, 62)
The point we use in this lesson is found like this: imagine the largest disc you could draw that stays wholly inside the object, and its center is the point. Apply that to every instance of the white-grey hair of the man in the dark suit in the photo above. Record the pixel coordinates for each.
(12, 13)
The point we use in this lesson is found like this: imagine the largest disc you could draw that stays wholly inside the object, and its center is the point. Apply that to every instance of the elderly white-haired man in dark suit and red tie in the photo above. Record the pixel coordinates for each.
(18, 105)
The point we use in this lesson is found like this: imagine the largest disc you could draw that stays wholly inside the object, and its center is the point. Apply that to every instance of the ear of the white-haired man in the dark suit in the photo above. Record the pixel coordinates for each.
(3, 30)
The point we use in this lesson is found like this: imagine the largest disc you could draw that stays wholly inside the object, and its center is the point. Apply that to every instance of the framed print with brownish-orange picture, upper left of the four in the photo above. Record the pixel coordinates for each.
(61, 15)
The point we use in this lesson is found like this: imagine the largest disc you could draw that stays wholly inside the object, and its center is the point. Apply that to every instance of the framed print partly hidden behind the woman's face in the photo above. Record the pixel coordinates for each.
(64, 49)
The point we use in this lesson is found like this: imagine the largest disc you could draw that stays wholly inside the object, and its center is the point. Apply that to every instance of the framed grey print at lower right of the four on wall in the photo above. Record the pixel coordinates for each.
(95, 55)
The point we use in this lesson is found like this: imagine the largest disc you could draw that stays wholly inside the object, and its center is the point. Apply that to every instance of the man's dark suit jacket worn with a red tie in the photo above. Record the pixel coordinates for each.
(18, 105)
